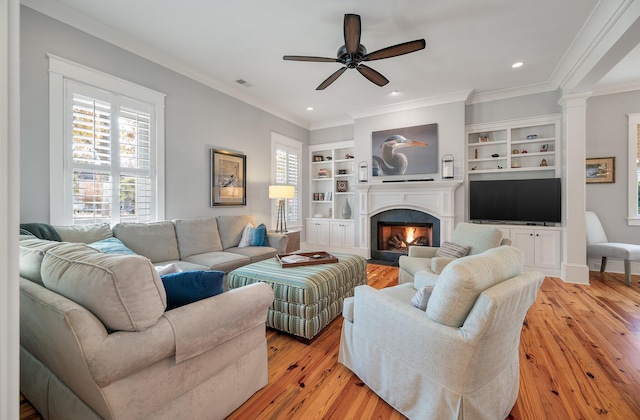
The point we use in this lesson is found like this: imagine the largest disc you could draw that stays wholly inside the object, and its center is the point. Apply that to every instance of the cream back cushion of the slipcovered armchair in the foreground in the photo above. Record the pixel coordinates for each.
(461, 282)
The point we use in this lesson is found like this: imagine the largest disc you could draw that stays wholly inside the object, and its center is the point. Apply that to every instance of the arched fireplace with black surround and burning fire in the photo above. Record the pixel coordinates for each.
(393, 231)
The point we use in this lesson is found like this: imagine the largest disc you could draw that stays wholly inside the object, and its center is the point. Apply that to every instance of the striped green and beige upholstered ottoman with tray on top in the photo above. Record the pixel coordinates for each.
(307, 298)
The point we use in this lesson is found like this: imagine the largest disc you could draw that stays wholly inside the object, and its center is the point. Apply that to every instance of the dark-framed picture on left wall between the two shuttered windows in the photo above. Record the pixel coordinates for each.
(228, 178)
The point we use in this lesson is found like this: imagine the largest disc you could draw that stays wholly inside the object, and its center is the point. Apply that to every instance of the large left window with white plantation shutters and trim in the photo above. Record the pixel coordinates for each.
(106, 148)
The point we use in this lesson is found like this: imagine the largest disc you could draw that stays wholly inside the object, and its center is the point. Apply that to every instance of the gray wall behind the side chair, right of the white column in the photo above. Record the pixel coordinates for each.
(607, 135)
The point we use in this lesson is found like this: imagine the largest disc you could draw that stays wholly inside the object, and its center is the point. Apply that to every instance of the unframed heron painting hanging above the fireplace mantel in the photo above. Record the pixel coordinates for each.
(405, 151)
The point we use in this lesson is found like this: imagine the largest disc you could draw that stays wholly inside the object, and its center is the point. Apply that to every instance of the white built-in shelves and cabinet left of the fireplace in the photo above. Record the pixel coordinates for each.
(332, 177)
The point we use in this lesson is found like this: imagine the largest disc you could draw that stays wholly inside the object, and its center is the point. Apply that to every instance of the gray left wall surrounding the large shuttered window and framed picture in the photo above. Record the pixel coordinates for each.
(197, 118)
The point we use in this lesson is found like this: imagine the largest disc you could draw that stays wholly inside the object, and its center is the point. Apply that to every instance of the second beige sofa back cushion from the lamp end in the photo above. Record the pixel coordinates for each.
(197, 236)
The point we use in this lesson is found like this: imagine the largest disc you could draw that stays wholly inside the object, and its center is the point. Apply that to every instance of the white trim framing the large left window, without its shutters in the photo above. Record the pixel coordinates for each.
(61, 69)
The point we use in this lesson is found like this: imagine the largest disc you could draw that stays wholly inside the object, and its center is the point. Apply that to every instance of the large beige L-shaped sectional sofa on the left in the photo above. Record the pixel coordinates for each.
(96, 341)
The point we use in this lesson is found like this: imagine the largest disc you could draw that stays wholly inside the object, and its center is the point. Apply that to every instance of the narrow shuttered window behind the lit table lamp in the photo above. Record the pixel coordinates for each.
(285, 158)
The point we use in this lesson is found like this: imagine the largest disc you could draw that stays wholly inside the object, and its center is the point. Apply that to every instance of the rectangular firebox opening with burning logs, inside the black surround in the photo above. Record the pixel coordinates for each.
(398, 236)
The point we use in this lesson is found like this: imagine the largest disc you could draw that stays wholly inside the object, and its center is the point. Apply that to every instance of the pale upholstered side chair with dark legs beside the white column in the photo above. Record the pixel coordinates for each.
(599, 246)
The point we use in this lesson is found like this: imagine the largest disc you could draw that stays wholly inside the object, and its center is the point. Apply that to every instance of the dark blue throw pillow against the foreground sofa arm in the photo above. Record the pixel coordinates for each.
(191, 286)
